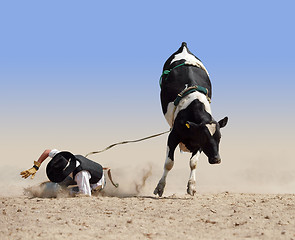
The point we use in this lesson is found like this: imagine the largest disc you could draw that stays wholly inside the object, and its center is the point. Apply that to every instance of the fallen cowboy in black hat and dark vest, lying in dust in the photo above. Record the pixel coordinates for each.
(77, 173)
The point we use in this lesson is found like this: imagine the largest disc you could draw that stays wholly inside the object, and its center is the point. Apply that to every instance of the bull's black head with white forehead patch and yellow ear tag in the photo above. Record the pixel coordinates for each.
(206, 136)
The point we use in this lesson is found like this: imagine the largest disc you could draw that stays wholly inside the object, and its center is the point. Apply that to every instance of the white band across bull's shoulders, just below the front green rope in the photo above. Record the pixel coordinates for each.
(172, 112)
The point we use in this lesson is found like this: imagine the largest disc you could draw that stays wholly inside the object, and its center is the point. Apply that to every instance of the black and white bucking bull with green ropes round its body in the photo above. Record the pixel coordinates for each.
(185, 98)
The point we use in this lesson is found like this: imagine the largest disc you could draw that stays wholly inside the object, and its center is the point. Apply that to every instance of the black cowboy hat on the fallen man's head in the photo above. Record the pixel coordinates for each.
(60, 166)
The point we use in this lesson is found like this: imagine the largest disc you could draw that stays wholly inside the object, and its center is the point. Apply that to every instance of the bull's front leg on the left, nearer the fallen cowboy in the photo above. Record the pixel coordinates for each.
(169, 162)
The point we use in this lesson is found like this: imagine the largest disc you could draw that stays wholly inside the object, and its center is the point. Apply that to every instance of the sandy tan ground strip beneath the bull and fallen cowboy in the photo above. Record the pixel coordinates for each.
(205, 216)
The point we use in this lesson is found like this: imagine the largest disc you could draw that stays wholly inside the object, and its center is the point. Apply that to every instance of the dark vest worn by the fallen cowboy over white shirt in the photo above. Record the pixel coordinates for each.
(93, 168)
